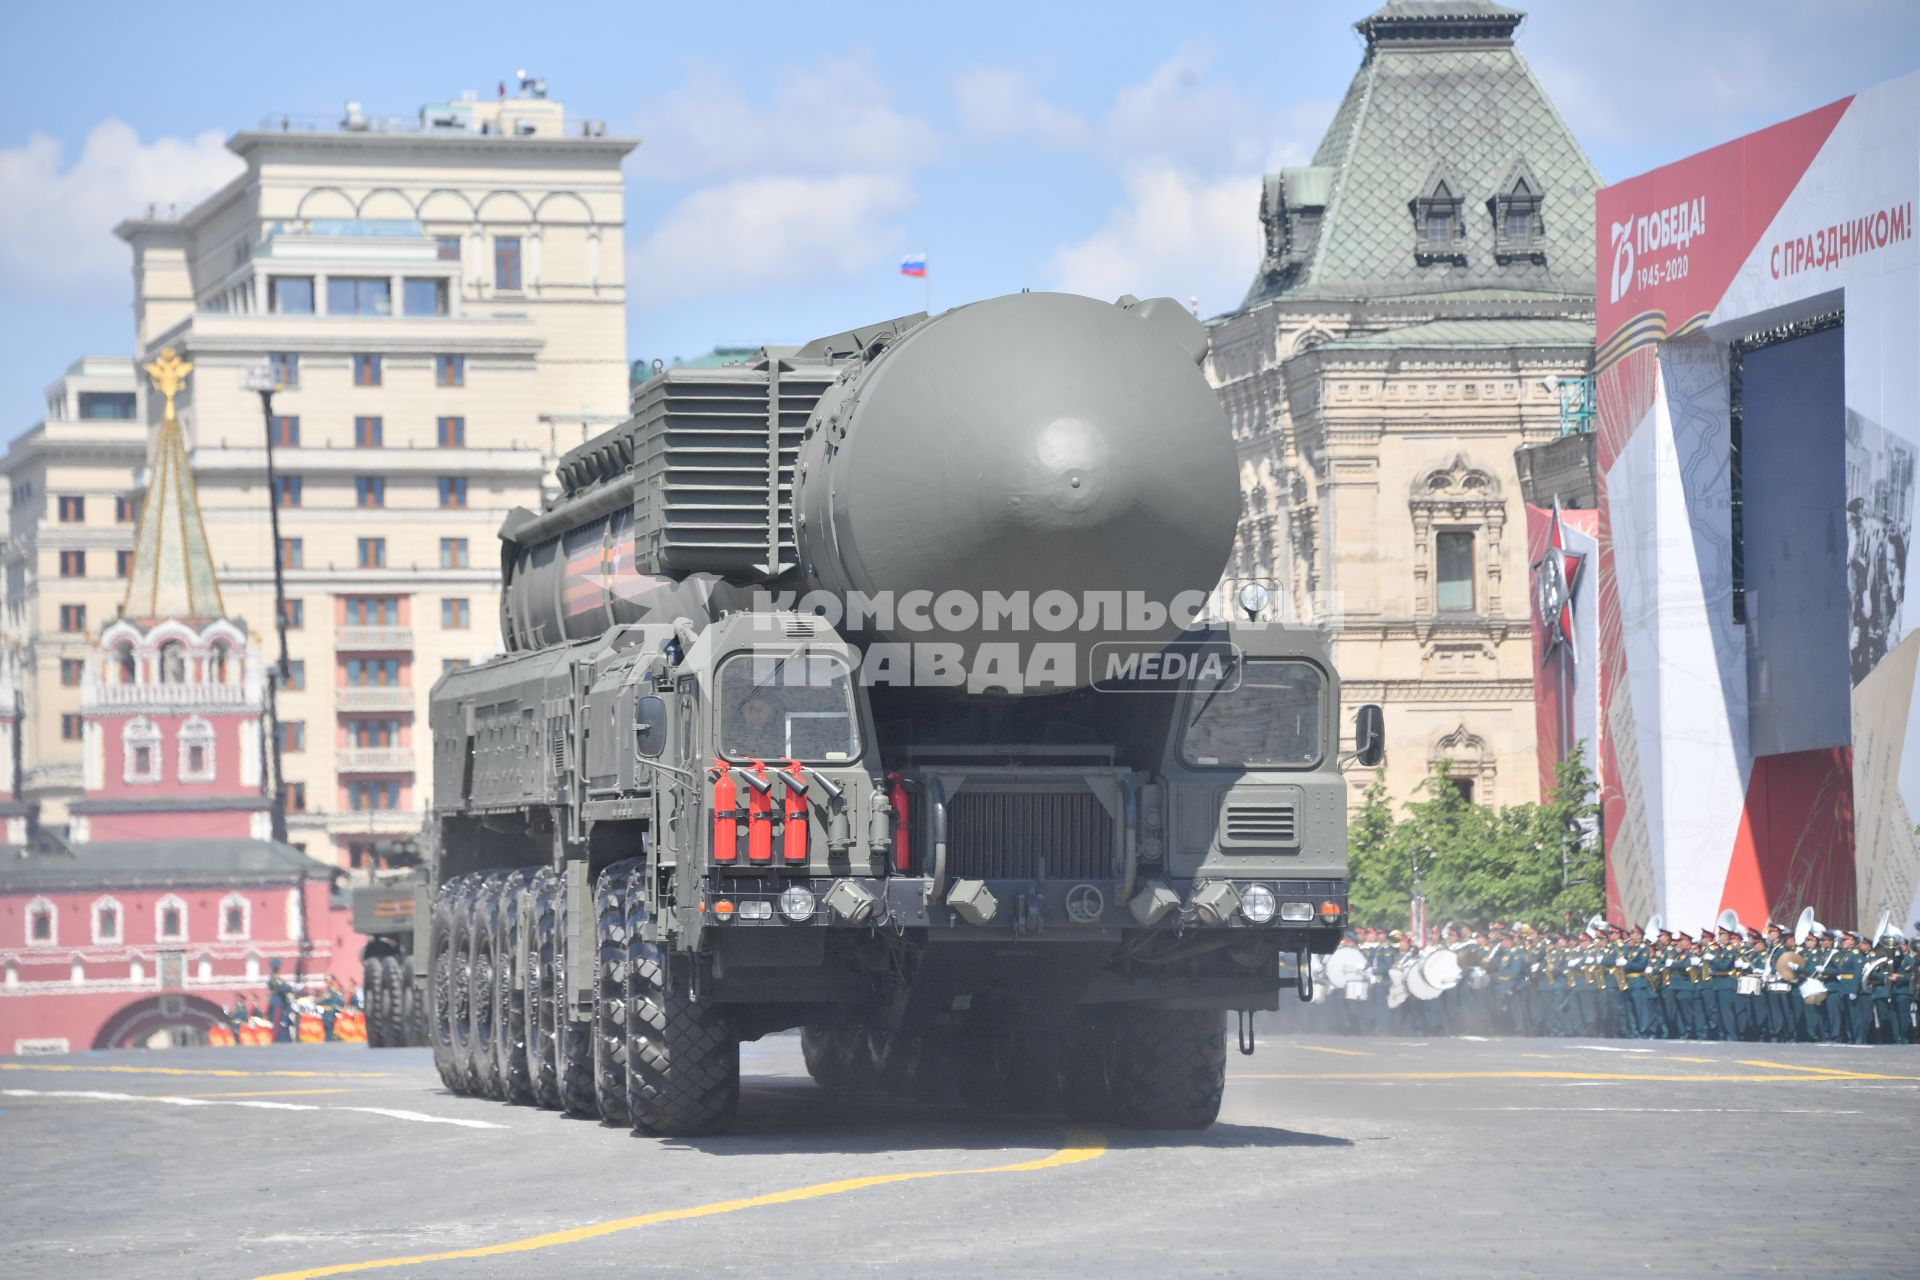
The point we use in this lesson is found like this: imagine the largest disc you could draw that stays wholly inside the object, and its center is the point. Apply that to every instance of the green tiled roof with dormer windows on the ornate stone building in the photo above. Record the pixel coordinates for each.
(1441, 95)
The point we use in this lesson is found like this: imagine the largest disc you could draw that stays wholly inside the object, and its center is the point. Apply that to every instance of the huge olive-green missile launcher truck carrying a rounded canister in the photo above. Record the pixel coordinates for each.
(861, 690)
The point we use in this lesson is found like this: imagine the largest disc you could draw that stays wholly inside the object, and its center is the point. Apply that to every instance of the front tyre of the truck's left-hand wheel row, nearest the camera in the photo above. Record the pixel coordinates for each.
(683, 1056)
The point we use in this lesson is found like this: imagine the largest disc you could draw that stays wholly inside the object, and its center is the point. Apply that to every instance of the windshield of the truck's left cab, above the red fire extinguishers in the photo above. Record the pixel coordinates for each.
(786, 707)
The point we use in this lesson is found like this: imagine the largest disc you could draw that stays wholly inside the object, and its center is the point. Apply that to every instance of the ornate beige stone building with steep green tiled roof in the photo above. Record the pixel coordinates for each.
(1424, 300)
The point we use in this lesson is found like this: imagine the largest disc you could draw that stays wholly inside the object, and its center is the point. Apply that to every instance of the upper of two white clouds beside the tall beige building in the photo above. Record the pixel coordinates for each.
(830, 120)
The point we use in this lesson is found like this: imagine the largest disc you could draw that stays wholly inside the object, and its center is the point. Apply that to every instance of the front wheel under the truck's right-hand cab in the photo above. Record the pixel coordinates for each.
(1166, 1068)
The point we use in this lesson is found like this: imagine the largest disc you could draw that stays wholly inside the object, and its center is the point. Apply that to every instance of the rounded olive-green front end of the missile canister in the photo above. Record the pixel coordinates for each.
(1030, 444)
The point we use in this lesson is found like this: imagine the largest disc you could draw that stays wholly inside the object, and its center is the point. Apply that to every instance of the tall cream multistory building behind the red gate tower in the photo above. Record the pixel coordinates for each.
(441, 308)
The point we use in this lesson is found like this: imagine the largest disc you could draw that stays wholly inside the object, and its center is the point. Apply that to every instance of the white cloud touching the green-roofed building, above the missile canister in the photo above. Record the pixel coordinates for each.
(1174, 235)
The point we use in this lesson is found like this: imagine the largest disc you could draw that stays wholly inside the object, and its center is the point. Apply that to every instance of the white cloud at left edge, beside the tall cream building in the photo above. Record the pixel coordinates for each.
(57, 225)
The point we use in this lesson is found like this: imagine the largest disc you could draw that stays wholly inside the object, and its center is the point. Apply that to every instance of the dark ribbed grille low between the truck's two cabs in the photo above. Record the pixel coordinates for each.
(1009, 834)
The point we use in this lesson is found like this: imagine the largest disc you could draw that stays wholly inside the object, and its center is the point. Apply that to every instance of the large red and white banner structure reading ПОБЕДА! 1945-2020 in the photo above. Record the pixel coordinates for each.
(1758, 379)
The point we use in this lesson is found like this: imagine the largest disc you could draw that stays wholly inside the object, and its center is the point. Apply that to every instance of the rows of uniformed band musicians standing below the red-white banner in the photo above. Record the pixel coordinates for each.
(1721, 984)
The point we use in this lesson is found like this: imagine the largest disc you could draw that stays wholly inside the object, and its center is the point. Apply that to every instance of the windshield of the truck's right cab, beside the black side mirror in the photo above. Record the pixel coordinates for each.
(1257, 715)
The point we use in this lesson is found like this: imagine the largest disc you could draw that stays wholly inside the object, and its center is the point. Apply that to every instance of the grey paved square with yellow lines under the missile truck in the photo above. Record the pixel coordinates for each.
(1493, 1158)
